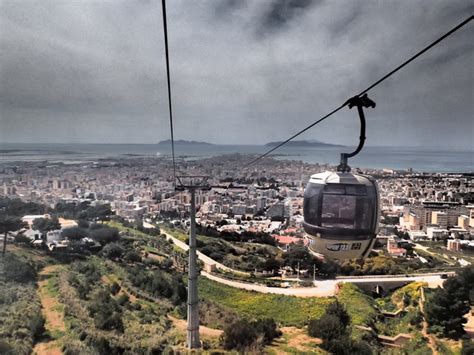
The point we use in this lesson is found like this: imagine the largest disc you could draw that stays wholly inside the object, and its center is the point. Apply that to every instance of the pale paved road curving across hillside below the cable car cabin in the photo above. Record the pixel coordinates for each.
(323, 288)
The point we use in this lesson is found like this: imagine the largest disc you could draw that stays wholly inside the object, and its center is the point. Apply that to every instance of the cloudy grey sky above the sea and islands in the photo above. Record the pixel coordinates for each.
(242, 72)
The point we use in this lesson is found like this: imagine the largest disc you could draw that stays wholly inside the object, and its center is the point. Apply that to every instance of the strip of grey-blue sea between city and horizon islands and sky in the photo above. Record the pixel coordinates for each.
(396, 158)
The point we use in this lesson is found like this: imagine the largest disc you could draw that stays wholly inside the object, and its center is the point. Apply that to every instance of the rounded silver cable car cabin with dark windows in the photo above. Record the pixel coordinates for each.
(341, 214)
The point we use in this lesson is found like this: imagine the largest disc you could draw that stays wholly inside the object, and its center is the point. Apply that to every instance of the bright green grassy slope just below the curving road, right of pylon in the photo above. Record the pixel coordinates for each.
(285, 310)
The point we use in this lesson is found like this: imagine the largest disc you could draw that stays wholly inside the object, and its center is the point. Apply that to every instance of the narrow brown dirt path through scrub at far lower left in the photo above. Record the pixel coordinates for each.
(52, 312)
